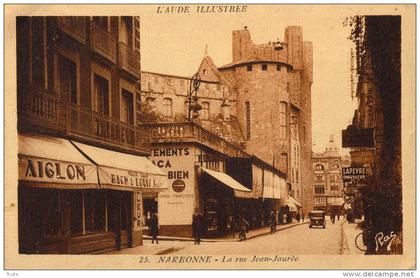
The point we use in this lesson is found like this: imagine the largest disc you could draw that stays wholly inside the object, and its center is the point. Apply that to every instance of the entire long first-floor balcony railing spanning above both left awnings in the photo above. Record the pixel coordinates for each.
(41, 109)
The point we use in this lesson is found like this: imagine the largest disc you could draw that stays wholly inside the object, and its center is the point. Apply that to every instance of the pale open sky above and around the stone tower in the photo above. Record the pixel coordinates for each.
(176, 43)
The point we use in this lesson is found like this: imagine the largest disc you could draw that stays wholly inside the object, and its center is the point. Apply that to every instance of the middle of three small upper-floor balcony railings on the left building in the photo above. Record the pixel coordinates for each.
(103, 43)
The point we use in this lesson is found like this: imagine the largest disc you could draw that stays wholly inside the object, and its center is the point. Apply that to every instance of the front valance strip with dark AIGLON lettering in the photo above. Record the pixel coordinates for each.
(44, 170)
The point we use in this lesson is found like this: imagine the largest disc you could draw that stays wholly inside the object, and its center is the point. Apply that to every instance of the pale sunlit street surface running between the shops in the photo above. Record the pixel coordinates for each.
(299, 240)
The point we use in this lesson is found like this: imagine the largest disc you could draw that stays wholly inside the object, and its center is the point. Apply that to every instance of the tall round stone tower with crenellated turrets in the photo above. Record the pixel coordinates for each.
(272, 83)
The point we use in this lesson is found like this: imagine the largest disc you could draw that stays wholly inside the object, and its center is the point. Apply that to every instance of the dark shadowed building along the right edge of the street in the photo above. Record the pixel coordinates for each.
(375, 134)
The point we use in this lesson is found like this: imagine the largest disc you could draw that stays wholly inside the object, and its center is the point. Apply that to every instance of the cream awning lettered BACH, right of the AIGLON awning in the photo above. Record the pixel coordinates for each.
(124, 171)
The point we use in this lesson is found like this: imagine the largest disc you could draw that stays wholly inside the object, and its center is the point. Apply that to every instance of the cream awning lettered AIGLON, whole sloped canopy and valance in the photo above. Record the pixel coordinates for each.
(51, 162)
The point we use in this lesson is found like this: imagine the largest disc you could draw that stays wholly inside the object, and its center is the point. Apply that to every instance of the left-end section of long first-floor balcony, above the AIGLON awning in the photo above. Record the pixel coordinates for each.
(40, 107)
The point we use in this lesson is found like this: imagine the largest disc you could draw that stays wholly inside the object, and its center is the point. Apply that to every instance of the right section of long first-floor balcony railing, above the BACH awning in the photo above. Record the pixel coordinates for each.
(88, 123)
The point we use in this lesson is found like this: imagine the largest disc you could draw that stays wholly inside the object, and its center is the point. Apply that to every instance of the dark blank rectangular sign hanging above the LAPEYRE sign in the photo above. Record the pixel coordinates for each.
(357, 137)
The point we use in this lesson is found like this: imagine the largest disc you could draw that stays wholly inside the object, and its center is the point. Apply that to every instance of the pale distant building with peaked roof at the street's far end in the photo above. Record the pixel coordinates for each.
(328, 183)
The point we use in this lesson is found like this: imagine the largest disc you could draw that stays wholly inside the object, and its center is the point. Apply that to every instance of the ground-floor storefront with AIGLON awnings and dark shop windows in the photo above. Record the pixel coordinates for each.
(75, 198)
